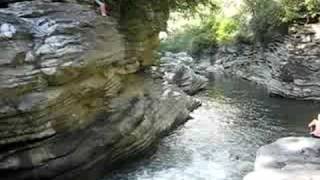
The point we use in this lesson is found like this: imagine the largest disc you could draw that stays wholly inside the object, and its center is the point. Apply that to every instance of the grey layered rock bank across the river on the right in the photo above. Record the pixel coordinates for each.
(289, 66)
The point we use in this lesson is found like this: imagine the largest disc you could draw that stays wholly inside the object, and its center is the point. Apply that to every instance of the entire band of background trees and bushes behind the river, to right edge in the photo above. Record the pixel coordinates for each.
(229, 21)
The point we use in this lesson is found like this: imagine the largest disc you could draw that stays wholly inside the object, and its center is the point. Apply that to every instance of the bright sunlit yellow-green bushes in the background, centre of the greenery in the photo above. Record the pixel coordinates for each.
(214, 29)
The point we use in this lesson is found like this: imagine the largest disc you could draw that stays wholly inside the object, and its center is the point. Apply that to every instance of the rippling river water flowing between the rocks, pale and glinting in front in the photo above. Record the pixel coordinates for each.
(220, 142)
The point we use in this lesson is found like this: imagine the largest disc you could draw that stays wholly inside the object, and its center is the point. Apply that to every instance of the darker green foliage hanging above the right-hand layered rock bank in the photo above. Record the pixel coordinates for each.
(269, 16)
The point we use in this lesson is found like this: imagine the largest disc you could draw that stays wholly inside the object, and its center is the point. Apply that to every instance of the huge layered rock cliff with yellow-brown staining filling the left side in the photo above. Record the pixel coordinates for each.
(74, 99)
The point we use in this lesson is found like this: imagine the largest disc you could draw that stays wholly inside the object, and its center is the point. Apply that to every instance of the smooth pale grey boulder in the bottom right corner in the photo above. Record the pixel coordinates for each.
(289, 158)
